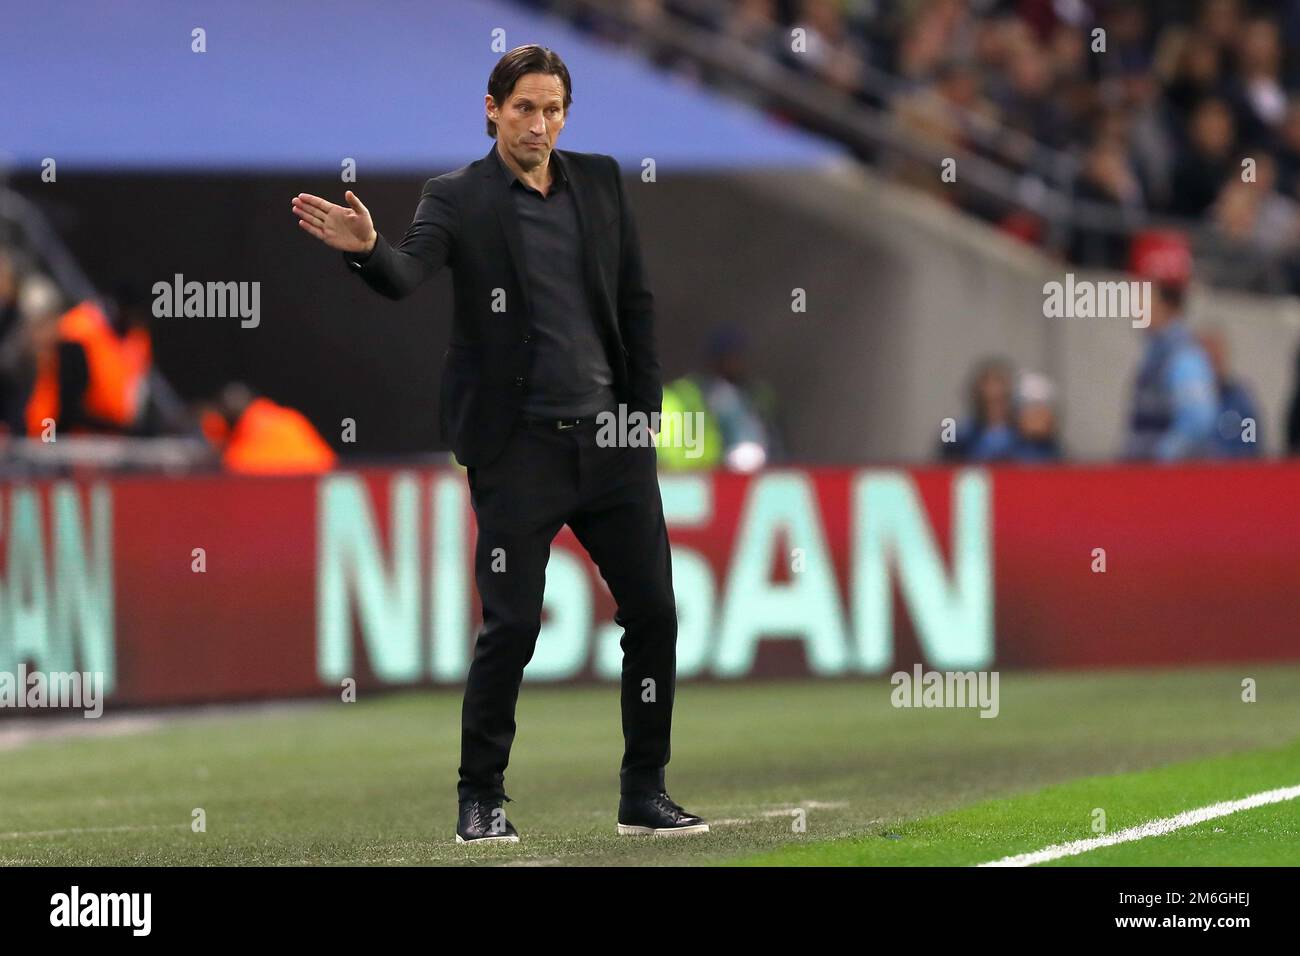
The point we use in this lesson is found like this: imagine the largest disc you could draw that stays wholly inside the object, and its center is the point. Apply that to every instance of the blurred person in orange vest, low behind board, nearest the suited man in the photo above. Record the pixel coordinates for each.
(257, 436)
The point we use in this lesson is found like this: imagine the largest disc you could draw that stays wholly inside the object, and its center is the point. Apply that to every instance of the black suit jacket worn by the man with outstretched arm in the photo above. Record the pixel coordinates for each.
(467, 220)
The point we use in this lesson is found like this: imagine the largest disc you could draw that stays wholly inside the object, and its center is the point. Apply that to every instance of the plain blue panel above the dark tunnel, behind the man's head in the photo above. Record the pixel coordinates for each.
(294, 85)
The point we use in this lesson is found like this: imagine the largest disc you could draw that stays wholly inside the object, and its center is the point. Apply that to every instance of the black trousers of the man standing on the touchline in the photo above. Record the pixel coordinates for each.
(543, 481)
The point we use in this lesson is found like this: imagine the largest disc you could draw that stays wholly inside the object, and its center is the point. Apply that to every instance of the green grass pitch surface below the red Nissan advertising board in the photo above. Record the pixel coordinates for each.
(374, 782)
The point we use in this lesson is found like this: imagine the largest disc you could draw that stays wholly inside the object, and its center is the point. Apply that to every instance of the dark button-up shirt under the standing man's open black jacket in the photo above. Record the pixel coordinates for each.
(571, 370)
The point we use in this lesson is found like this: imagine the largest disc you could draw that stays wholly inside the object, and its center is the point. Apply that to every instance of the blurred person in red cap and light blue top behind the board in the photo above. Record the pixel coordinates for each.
(1175, 406)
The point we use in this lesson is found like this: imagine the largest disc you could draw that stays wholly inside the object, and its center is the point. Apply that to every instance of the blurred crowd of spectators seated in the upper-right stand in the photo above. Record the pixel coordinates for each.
(1150, 118)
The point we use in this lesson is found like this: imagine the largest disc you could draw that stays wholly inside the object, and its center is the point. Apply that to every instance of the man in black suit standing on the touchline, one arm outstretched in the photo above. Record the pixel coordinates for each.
(553, 328)
